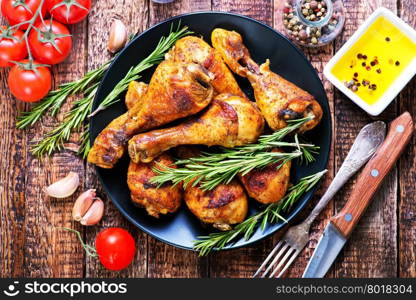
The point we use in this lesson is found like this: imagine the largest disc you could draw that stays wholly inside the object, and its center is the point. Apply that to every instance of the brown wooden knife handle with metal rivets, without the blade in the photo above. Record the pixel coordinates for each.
(399, 134)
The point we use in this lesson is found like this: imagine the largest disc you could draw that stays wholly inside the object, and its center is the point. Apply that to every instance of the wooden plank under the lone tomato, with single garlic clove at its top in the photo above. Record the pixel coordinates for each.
(134, 15)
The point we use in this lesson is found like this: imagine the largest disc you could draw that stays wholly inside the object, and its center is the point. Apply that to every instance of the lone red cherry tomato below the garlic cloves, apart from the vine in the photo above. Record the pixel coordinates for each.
(115, 248)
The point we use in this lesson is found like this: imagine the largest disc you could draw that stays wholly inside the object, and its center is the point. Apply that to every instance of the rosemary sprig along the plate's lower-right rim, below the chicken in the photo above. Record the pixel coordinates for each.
(271, 214)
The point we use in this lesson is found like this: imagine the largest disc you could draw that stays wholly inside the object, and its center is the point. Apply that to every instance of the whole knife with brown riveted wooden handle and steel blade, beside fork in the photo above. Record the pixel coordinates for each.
(341, 225)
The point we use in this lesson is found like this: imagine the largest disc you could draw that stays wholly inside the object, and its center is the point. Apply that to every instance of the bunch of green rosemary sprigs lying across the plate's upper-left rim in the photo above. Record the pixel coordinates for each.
(74, 119)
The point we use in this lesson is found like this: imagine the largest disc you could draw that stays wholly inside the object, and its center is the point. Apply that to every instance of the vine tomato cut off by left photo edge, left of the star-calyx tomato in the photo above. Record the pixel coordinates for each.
(12, 47)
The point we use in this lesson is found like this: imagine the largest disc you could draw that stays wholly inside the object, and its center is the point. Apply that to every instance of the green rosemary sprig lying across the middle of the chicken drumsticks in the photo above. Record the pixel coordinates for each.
(212, 169)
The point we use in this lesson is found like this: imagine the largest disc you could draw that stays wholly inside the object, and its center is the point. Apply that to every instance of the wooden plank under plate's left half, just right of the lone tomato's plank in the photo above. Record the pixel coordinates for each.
(165, 260)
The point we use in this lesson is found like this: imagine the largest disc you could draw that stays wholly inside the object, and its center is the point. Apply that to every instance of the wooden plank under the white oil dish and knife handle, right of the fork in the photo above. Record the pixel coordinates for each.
(372, 249)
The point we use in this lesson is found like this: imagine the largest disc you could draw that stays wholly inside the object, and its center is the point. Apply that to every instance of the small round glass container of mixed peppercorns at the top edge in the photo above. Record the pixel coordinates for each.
(313, 23)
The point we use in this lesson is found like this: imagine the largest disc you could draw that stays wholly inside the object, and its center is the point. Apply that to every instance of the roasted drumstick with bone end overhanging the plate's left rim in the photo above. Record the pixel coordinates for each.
(175, 91)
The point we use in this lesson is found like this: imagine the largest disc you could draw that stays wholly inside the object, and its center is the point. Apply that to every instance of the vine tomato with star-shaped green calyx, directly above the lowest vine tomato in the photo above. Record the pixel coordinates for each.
(45, 42)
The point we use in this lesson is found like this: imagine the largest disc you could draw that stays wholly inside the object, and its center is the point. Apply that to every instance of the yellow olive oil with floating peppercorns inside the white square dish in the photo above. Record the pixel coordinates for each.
(376, 60)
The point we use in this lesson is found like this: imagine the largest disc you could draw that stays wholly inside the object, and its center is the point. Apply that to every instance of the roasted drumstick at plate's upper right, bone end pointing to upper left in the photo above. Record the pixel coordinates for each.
(278, 99)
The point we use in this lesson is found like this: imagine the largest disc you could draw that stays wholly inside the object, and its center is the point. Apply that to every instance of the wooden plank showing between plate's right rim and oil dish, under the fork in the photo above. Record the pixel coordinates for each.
(318, 57)
